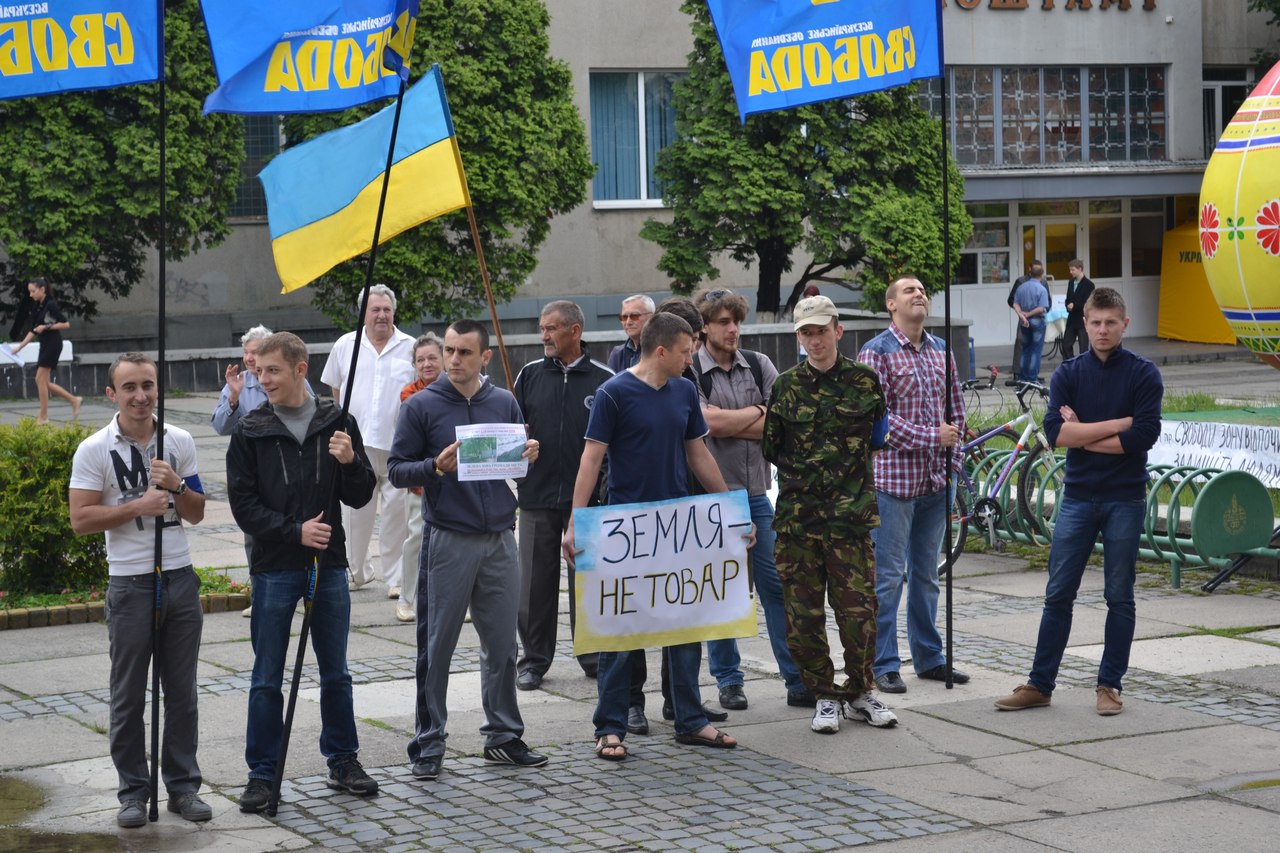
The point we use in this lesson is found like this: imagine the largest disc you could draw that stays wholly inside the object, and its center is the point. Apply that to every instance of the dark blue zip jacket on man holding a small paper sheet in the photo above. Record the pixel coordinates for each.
(428, 425)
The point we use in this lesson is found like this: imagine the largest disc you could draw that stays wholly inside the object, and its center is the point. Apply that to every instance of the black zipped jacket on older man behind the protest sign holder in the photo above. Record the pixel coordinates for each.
(557, 404)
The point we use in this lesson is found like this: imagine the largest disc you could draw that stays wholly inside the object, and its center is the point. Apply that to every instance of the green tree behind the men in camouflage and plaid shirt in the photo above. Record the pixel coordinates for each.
(856, 185)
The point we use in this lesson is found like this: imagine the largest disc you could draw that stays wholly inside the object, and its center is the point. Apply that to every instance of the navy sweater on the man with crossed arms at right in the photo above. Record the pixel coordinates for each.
(1124, 386)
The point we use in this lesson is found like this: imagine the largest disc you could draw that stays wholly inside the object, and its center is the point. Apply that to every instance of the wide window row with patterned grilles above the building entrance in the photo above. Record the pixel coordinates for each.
(1043, 115)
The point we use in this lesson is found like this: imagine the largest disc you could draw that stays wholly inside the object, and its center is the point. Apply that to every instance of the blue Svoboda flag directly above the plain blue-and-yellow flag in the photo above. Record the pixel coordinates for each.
(305, 56)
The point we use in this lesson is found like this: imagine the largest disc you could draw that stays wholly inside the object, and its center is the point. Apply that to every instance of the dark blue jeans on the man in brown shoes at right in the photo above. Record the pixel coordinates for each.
(1077, 530)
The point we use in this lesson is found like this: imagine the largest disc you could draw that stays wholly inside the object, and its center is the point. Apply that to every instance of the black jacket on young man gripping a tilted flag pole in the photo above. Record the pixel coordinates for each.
(276, 485)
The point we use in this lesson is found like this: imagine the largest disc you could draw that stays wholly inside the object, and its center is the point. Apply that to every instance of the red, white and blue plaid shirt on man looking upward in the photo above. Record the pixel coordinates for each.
(912, 463)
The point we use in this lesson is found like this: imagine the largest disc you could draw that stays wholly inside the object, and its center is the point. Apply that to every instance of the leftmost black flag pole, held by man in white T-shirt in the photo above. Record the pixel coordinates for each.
(154, 811)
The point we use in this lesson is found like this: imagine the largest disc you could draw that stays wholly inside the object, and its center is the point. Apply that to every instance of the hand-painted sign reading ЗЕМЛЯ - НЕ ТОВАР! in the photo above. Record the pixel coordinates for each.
(664, 573)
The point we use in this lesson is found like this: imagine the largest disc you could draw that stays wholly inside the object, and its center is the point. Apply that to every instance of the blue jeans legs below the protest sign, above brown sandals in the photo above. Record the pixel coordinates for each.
(614, 691)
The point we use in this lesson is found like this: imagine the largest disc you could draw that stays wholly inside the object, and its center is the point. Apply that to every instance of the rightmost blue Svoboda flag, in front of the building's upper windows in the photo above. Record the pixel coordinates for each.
(789, 53)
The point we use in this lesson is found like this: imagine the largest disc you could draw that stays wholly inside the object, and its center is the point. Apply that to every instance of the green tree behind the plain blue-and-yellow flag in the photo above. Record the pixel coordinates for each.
(523, 145)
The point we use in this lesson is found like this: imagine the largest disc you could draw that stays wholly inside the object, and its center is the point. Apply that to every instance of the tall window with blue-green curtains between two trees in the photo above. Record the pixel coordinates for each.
(633, 120)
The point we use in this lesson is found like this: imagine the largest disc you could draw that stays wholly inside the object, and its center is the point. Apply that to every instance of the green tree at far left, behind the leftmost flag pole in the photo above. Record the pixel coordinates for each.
(80, 176)
